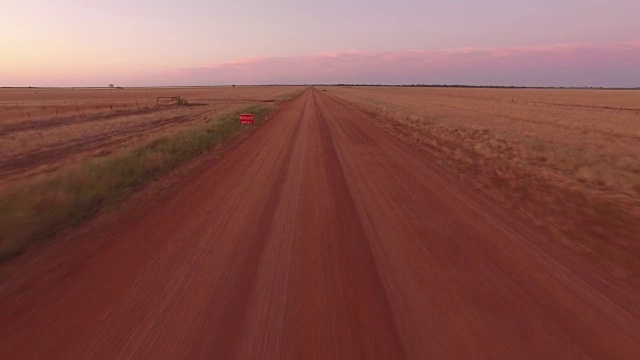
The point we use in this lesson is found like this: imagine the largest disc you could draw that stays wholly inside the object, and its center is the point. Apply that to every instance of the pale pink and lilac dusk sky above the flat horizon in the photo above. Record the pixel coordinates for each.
(193, 42)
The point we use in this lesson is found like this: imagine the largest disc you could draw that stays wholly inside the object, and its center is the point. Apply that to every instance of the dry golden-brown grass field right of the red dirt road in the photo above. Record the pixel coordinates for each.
(567, 159)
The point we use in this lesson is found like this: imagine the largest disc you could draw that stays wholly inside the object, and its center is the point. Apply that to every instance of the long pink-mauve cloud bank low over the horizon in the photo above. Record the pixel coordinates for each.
(552, 65)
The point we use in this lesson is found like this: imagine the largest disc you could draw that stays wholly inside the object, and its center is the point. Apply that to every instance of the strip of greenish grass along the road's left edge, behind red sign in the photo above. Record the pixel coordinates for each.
(34, 211)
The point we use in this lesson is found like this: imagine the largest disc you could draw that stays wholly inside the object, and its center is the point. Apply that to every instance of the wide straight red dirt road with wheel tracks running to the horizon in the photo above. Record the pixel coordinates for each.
(319, 236)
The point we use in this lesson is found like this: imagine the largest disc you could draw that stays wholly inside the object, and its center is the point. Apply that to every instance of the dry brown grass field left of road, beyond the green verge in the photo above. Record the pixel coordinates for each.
(42, 130)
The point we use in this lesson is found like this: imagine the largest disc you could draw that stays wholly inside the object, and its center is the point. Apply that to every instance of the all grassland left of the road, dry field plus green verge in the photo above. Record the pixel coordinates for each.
(58, 171)
